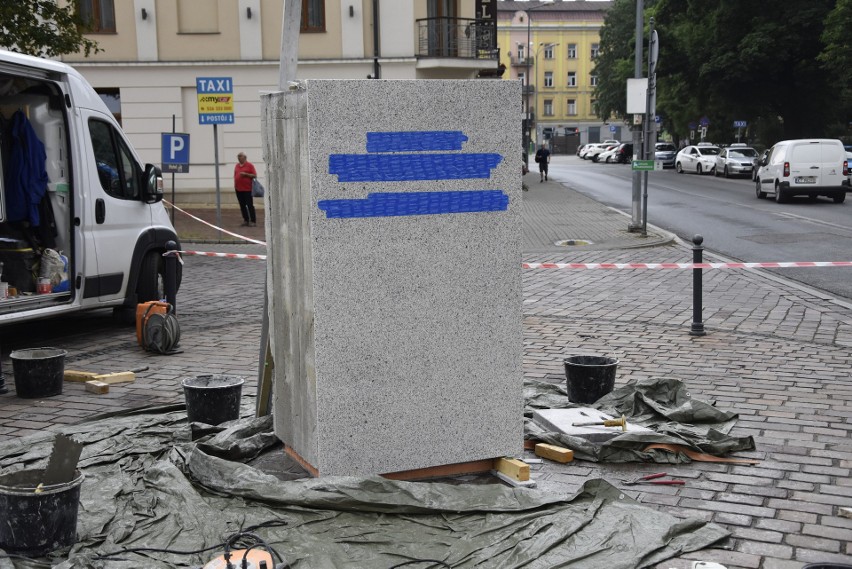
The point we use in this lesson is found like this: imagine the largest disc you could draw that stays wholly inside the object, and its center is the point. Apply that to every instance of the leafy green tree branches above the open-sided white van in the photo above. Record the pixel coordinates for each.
(43, 28)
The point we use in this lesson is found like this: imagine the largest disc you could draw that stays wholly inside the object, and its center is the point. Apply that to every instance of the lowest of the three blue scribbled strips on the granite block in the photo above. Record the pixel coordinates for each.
(394, 204)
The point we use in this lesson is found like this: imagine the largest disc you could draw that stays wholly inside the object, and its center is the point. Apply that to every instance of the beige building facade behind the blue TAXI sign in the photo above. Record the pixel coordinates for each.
(153, 51)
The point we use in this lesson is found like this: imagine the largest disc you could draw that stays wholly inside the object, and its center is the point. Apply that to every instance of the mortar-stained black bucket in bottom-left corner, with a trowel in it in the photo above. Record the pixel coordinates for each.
(36, 520)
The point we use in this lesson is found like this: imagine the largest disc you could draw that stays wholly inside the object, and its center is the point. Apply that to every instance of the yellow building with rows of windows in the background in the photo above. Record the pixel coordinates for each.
(551, 47)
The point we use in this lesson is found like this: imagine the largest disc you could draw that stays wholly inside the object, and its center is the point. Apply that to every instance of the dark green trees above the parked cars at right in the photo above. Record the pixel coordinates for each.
(777, 64)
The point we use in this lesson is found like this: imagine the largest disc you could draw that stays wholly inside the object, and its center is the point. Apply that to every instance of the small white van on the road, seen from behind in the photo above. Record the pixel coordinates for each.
(806, 167)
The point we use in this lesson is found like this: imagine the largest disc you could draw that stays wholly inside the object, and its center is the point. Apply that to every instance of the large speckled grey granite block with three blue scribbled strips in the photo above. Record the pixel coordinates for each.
(394, 271)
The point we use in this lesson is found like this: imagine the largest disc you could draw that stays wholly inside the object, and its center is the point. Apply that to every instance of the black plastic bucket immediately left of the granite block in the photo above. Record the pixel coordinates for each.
(212, 399)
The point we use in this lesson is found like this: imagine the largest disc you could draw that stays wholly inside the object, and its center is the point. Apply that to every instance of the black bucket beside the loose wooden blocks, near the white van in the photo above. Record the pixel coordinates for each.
(39, 372)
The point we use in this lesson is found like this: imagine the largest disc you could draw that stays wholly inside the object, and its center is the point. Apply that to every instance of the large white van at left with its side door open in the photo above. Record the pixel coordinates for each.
(82, 225)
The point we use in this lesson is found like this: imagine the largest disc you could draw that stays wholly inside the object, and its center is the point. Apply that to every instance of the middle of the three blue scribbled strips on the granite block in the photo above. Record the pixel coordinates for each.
(409, 167)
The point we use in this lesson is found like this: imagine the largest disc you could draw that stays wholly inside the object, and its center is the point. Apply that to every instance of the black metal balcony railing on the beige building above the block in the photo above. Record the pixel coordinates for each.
(457, 37)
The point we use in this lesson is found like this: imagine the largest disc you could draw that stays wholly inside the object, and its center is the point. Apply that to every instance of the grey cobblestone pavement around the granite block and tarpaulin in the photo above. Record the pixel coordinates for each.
(775, 352)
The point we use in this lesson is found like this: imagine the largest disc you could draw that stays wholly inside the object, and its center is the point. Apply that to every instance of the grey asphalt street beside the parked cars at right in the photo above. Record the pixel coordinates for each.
(733, 222)
